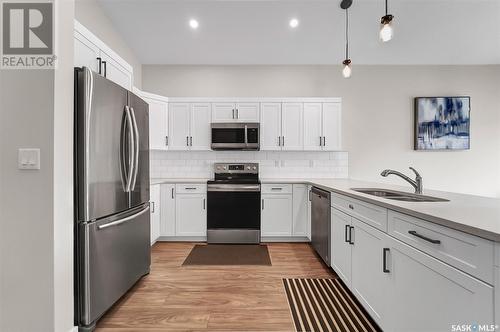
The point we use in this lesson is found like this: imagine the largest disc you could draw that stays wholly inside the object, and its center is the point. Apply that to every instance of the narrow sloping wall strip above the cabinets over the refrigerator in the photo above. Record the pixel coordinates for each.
(90, 14)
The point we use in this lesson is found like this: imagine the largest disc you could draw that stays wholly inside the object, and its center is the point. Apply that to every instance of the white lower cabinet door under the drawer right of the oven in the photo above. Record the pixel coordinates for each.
(276, 216)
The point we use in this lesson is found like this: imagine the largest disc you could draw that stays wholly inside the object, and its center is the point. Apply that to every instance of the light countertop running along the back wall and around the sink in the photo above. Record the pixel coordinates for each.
(468, 213)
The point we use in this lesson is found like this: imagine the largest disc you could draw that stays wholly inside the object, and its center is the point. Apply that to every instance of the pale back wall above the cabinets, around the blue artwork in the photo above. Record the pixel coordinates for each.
(377, 112)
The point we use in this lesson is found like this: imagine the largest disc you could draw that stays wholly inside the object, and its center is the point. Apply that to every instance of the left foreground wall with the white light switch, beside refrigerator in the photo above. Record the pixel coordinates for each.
(36, 215)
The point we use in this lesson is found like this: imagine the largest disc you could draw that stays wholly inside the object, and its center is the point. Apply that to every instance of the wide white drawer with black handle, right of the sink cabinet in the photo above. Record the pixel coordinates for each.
(466, 252)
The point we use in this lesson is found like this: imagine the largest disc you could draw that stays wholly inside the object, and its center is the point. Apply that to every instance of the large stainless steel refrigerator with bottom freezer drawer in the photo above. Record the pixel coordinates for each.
(112, 226)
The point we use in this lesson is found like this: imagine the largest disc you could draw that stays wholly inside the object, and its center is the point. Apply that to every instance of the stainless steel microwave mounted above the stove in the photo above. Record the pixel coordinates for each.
(236, 136)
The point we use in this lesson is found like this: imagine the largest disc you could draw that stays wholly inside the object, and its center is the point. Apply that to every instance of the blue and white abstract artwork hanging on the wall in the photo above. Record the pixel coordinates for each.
(442, 123)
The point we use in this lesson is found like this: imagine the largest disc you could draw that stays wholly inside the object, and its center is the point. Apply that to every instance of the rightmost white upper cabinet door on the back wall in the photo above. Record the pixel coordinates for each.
(332, 126)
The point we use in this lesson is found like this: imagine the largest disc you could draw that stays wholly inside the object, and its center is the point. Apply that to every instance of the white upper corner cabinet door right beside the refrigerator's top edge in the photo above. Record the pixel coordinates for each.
(158, 124)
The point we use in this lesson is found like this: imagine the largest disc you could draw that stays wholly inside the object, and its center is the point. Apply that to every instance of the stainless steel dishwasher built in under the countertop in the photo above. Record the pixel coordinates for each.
(320, 223)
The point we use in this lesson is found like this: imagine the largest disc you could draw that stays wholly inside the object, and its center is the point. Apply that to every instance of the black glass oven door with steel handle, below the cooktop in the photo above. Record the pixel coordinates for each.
(233, 206)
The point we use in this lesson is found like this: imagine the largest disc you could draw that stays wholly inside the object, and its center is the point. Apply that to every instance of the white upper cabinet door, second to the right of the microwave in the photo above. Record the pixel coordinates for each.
(292, 126)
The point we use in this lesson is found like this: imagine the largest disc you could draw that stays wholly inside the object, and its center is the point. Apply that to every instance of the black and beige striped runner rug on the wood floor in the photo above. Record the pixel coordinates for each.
(325, 305)
